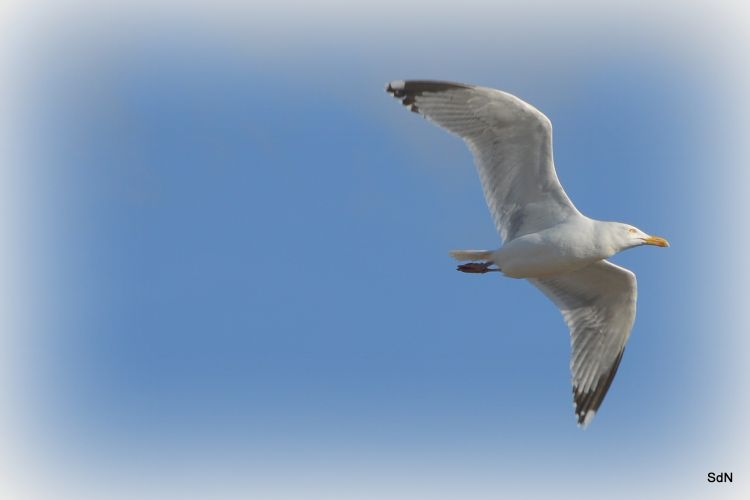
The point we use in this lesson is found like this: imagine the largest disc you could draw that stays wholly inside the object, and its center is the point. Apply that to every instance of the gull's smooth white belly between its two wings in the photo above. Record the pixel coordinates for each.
(539, 254)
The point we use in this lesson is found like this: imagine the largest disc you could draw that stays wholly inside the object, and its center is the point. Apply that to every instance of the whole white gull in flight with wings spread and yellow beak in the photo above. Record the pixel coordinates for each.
(546, 240)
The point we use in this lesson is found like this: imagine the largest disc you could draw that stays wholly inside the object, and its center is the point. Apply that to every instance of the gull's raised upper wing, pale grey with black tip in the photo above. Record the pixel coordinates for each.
(512, 144)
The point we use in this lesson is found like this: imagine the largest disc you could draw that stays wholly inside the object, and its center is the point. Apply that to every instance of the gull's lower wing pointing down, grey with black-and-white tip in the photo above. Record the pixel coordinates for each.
(598, 304)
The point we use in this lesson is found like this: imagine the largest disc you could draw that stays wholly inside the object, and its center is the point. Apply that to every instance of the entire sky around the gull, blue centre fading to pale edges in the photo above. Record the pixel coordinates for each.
(232, 268)
